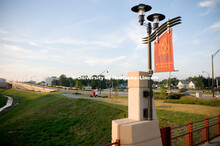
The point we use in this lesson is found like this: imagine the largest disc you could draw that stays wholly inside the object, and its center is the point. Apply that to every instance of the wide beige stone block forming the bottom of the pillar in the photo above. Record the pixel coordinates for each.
(136, 133)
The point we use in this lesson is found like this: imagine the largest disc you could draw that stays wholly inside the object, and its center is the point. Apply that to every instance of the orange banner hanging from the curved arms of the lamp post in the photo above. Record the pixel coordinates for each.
(163, 53)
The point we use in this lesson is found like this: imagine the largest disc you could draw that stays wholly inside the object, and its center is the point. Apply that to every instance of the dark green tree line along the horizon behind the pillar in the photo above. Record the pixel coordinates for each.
(99, 81)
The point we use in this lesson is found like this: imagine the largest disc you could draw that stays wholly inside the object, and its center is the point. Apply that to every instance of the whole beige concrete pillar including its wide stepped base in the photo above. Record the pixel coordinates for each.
(136, 130)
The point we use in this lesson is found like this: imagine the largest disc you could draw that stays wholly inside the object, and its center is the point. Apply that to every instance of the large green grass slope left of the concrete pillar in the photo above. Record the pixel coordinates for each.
(56, 120)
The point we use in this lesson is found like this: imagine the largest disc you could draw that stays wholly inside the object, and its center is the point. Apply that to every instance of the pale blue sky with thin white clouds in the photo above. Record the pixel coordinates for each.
(44, 38)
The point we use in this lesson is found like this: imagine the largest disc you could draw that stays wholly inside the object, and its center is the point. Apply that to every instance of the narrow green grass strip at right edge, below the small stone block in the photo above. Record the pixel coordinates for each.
(198, 101)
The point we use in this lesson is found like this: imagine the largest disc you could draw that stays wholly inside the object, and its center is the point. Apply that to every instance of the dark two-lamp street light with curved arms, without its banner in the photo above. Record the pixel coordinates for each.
(155, 18)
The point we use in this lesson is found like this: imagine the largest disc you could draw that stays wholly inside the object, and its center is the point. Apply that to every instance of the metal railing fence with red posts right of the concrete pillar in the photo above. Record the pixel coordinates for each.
(193, 133)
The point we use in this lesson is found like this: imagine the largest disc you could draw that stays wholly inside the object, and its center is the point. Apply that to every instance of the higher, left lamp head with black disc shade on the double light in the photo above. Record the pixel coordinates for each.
(141, 9)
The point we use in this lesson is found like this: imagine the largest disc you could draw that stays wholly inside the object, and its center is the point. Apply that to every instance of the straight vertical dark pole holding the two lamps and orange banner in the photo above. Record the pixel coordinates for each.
(150, 72)
